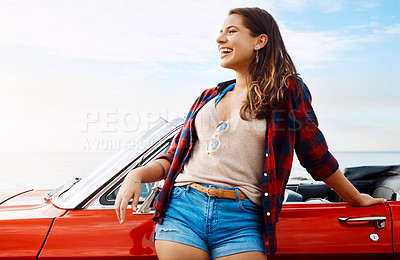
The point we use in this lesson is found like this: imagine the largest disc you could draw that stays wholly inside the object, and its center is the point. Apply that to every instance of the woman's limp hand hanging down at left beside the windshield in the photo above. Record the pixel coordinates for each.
(129, 189)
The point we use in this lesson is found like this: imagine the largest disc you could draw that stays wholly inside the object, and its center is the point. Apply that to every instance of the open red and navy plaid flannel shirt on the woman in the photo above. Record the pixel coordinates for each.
(292, 126)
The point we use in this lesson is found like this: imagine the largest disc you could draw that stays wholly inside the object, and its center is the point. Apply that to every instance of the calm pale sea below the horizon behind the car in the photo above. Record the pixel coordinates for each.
(48, 170)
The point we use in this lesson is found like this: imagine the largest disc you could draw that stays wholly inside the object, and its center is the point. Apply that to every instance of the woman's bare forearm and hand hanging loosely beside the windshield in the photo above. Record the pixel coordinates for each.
(131, 186)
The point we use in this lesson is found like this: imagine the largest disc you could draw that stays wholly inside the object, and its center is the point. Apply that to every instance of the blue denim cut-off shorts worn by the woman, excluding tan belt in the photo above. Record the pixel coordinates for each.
(220, 227)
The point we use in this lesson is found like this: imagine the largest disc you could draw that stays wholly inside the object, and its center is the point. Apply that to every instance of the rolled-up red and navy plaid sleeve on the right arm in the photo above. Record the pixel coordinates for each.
(310, 144)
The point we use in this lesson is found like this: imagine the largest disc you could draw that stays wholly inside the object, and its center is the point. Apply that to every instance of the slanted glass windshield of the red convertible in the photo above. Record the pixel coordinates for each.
(130, 152)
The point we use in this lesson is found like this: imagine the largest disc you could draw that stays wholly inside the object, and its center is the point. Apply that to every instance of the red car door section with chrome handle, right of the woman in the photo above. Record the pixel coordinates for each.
(333, 231)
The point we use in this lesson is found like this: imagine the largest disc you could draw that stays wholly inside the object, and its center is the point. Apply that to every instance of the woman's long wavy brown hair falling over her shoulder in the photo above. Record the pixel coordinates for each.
(270, 74)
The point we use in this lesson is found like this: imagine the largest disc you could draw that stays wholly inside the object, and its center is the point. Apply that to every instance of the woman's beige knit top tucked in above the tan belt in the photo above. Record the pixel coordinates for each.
(239, 160)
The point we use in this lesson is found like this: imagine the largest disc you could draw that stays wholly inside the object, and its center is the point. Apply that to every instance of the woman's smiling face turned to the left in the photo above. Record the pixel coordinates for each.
(236, 44)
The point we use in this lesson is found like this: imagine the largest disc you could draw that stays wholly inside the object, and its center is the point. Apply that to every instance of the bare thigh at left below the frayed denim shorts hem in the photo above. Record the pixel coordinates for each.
(167, 250)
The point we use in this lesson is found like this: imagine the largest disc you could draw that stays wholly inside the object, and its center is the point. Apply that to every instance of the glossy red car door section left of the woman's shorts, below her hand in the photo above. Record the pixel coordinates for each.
(96, 234)
